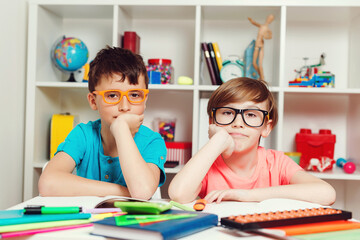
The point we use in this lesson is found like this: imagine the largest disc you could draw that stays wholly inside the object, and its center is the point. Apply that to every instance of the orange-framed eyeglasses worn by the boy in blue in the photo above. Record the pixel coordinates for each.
(115, 96)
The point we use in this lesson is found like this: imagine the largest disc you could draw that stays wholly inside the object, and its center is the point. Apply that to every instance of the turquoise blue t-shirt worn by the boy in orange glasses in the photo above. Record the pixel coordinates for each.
(84, 145)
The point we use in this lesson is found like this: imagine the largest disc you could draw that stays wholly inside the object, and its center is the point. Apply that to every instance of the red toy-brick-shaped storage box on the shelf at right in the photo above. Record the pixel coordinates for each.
(312, 145)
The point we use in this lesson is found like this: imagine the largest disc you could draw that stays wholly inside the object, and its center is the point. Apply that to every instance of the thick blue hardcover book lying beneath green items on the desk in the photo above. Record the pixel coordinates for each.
(169, 229)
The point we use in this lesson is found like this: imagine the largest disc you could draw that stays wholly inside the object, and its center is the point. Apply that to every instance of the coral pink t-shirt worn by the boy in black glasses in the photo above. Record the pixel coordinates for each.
(274, 168)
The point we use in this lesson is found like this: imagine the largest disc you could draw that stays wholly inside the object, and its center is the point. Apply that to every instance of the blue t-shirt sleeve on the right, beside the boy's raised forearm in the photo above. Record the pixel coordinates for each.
(155, 152)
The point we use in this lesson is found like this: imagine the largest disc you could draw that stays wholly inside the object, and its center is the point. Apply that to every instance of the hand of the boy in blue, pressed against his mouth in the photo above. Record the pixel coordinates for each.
(132, 121)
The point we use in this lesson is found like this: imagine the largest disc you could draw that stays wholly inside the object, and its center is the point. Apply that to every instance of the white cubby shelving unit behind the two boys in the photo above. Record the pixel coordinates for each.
(175, 30)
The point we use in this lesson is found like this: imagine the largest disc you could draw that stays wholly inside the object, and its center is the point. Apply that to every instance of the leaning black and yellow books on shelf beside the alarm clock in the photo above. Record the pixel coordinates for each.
(213, 61)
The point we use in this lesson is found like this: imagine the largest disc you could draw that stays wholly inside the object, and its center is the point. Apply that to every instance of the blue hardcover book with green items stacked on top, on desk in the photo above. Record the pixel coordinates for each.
(164, 223)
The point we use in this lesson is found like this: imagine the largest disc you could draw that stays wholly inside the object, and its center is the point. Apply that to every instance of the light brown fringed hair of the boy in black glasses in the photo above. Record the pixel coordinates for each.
(241, 90)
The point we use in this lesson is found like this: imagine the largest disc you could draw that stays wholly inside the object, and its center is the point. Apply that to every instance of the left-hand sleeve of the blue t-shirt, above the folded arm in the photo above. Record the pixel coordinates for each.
(74, 144)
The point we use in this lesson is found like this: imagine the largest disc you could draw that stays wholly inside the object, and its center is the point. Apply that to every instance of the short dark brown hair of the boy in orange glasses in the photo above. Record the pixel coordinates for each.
(115, 60)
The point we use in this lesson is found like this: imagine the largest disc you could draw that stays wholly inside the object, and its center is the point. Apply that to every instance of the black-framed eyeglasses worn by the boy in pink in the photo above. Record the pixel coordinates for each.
(251, 117)
